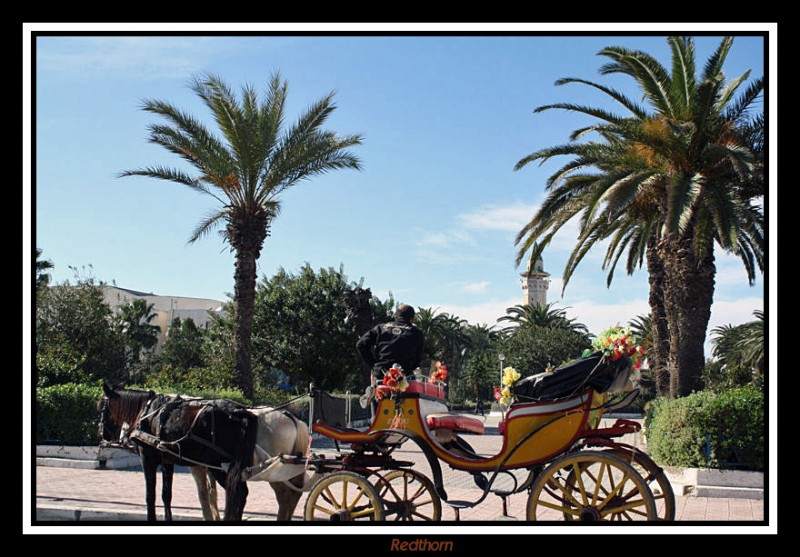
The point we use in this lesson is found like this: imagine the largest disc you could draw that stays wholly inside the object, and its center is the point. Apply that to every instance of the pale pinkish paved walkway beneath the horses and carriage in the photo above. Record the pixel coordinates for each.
(71, 495)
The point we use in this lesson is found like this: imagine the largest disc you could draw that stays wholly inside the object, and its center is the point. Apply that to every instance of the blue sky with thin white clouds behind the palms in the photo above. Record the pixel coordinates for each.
(432, 216)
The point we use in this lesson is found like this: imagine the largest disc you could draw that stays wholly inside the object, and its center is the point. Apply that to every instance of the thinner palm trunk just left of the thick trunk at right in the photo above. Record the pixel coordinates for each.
(659, 357)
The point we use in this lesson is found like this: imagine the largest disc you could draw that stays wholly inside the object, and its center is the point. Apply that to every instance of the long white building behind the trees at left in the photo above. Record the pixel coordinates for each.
(166, 308)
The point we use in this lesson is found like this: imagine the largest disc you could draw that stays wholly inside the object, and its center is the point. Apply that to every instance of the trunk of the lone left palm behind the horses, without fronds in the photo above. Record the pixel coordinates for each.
(246, 233)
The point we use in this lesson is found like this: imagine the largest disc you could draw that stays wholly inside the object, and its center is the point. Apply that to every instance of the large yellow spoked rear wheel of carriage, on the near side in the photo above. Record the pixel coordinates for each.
(590, 486)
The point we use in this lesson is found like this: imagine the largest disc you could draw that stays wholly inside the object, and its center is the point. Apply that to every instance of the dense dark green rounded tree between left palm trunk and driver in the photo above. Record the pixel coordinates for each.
(300, 328)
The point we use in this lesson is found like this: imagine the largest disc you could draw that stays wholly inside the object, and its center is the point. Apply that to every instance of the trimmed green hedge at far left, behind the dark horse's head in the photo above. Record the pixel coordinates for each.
(67, 414)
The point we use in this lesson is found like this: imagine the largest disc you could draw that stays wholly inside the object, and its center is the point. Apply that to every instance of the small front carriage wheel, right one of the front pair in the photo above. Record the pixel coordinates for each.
(409, 496)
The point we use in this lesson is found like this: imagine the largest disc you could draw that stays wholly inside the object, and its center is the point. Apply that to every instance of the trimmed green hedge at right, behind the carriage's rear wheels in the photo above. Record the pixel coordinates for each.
(708, 430)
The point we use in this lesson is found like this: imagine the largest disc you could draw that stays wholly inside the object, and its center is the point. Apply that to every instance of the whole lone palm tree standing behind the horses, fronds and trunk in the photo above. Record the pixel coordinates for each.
(245, 171)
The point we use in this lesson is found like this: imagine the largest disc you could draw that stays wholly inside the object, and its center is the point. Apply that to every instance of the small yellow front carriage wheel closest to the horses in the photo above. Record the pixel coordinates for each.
(343, 497)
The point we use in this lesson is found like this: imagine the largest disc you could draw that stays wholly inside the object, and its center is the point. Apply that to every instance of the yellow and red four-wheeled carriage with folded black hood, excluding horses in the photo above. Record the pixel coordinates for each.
(575, 469)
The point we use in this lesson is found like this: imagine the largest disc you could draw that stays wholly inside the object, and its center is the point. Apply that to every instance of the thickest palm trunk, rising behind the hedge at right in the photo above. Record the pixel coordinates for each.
(688, 295)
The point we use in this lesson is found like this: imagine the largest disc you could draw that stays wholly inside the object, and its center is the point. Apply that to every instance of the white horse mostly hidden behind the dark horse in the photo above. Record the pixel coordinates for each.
(279, 433)
